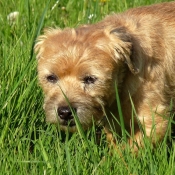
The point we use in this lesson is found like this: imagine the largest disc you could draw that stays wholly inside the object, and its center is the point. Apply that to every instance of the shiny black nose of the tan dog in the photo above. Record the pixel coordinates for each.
(65, 113)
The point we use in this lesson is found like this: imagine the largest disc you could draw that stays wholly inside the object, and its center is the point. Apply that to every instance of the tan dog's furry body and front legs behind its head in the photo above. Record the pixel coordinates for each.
(151, 30)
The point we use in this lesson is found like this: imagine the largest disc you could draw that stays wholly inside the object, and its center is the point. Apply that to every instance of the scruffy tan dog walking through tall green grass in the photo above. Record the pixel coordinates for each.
(134, 51)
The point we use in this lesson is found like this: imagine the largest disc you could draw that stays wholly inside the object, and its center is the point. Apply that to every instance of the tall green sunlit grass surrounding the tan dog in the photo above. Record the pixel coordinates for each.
(27, 144)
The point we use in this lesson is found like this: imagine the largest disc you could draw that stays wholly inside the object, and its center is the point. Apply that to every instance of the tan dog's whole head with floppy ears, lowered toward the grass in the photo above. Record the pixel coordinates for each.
(77, 71)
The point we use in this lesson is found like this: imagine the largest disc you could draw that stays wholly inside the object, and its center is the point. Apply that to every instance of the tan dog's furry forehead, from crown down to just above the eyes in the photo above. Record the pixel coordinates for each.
(74, 52)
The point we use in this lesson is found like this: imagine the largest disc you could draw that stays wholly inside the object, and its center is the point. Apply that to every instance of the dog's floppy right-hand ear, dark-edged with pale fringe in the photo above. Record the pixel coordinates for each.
(123, 47)
